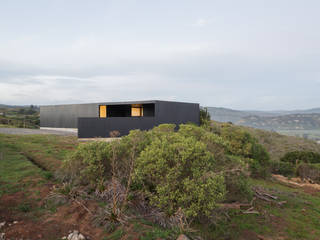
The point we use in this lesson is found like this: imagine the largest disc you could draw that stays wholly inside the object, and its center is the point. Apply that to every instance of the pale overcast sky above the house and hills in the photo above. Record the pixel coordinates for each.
(248, 54)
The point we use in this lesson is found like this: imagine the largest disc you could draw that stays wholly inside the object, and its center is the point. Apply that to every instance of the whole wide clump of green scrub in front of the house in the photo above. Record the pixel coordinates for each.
(189, 170)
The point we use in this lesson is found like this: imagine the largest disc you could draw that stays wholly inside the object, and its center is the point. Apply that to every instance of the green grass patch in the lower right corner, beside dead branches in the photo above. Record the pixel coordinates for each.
(297, 219)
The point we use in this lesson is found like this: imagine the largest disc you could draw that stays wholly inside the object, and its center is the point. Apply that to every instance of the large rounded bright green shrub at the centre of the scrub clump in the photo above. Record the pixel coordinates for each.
(177, 172)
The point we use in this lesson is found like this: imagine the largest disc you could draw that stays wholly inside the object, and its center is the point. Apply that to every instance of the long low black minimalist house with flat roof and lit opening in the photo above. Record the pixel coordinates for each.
(99, 119)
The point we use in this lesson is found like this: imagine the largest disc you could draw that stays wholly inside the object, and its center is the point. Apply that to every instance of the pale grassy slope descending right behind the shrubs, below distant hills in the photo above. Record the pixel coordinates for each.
(276, 144)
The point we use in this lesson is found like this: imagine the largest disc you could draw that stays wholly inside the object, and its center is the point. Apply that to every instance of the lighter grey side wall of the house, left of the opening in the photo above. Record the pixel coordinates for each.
(66, 116)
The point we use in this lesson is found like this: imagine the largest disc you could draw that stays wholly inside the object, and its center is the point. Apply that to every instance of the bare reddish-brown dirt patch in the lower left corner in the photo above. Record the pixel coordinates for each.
(68, 217)
